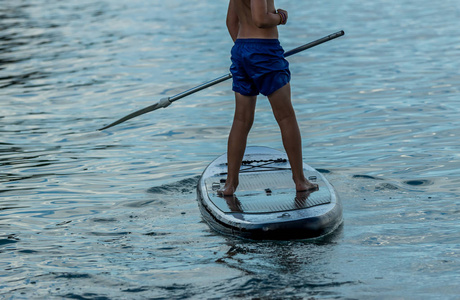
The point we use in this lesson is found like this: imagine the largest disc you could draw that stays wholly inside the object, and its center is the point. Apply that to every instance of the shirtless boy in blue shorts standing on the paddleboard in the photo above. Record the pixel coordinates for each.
(258, 65)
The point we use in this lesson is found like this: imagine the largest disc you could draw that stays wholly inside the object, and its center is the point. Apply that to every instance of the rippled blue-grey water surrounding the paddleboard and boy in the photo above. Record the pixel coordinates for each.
(98, 215)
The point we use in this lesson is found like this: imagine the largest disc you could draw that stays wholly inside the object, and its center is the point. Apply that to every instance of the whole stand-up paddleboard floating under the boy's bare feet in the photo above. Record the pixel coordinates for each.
(266, 205)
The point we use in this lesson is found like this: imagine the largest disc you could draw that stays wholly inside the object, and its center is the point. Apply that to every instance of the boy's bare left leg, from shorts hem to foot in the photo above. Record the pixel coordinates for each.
(242, 122)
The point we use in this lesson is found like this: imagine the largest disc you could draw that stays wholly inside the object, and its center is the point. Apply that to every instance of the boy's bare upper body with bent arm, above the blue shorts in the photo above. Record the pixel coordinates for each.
(253, 19)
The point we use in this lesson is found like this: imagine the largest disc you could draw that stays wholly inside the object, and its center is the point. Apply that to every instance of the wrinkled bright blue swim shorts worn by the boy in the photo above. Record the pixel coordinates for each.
(258, 66)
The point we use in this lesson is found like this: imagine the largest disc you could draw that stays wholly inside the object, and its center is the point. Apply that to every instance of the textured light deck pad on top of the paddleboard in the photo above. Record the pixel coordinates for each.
(267, 191)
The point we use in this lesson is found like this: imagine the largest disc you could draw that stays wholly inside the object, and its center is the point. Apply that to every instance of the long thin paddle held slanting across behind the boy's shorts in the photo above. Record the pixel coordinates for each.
(165, 102)
